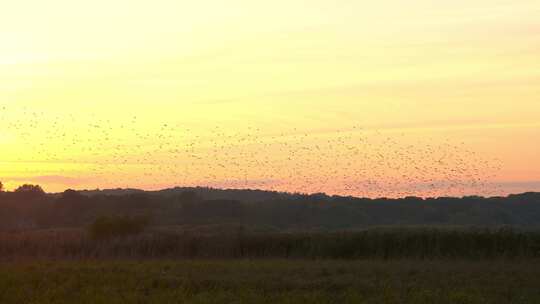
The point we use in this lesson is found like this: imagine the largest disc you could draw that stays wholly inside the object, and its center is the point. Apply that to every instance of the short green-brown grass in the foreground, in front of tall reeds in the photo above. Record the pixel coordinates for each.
(271, 281)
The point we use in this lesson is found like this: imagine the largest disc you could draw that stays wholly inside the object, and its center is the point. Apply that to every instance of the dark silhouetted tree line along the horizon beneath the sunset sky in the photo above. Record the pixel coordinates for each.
(29, 207)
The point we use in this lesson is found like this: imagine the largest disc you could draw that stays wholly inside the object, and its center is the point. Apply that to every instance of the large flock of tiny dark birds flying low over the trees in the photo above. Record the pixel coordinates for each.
(133, 151)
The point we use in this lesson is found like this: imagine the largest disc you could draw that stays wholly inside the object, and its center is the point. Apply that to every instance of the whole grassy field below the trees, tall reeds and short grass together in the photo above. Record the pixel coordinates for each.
(196, 265)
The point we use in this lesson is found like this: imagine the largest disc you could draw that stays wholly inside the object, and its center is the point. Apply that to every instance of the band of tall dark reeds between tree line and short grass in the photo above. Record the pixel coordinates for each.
(380, 244)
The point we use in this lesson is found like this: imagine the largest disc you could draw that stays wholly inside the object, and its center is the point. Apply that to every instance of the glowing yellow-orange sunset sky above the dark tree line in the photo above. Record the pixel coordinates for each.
(391, 98)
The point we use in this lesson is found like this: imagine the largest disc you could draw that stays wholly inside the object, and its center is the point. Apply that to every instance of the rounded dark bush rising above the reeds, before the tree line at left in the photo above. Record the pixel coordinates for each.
(108, 227)
